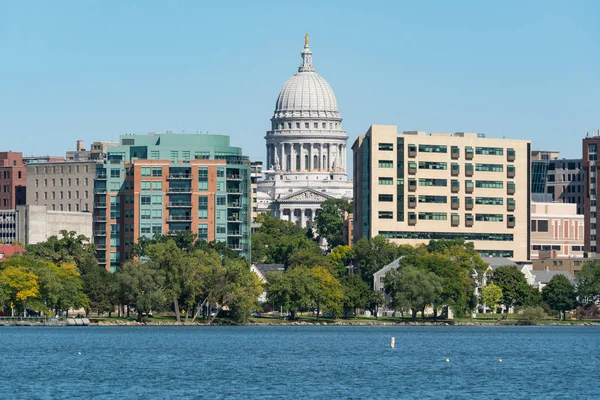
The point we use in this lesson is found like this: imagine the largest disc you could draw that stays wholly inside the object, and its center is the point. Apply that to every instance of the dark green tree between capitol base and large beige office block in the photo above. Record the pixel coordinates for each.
(330, 221)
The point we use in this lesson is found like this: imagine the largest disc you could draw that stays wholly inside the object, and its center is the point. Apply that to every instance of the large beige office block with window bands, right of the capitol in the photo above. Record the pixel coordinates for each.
(413, 187)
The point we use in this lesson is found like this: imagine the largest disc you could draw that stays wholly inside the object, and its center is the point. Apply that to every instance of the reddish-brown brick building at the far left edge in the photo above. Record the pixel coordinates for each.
(12, 180)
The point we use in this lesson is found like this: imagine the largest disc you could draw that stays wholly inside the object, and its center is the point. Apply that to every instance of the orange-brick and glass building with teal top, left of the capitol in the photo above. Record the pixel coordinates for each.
(170, 183)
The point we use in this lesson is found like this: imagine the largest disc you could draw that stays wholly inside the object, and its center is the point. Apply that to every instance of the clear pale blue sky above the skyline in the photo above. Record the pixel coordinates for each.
(94, 70)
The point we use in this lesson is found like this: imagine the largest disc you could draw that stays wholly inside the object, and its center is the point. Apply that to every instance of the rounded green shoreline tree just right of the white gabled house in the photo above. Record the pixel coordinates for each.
(413, 288)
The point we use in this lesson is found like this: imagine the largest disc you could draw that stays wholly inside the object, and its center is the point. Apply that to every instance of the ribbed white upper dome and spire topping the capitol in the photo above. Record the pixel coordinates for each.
(306, 94)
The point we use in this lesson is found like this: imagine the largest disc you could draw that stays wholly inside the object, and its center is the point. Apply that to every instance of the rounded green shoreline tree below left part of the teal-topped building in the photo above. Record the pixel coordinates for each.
(144, 286)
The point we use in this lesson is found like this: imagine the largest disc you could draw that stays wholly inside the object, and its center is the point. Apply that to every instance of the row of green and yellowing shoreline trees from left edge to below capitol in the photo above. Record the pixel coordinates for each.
(178, 273)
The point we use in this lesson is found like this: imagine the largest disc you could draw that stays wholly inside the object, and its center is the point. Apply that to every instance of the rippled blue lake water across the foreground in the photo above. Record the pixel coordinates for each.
(299, 362)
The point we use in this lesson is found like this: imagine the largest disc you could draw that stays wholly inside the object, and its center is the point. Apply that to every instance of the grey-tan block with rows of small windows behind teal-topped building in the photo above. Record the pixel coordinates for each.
(62, 186)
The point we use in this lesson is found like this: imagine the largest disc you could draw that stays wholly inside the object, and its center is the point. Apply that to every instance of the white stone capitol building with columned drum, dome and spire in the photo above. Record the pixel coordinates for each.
(306, 149)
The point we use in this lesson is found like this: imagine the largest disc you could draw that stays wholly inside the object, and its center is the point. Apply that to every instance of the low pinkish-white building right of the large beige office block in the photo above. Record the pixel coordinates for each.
(557, 231)
